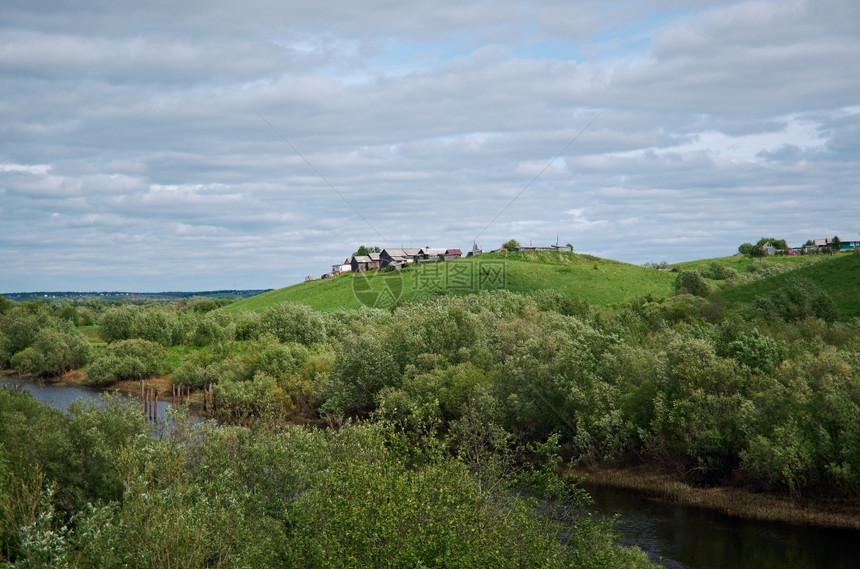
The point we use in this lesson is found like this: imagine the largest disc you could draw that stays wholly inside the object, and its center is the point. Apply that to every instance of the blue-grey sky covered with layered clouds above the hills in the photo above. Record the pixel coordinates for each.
(245, 144)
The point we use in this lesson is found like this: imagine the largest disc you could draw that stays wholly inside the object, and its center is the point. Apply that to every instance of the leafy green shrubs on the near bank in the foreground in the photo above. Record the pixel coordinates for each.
(88, 490)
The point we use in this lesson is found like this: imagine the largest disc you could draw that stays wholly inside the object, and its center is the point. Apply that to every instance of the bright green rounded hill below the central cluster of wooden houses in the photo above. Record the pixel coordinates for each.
(597, 281)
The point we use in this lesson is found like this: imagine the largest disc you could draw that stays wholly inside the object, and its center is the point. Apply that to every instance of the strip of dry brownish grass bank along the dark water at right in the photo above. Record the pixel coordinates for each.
(737, 502)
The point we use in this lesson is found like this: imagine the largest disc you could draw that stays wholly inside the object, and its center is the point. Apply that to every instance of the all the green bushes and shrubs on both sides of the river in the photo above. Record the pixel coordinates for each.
(436, 433)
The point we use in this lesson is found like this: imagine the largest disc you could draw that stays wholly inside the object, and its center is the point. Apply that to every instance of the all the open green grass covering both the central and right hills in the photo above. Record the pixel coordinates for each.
(598, 281)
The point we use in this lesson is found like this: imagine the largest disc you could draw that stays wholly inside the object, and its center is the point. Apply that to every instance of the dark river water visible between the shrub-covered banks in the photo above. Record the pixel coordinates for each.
(678, 537)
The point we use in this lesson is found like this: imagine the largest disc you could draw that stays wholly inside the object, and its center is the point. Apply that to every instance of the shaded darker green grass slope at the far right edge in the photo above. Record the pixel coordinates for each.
(837, 275)
